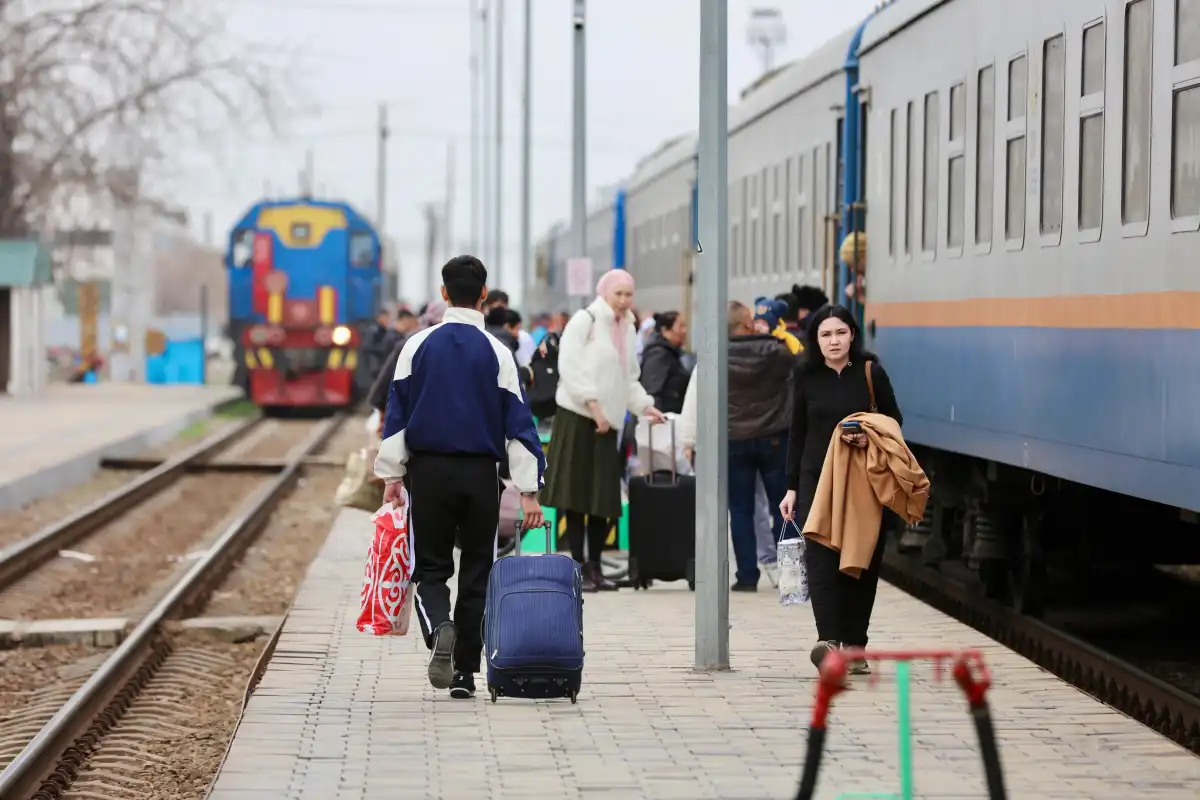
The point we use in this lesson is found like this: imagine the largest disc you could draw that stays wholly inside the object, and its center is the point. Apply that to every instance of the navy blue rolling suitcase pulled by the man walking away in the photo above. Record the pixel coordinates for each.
(533, 627)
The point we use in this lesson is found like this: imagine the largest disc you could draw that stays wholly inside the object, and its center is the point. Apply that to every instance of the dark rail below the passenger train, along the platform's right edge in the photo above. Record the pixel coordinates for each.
(1154, 702)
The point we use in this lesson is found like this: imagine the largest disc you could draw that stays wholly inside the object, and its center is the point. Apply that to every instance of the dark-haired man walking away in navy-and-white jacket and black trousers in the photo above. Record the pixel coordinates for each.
(455, 411)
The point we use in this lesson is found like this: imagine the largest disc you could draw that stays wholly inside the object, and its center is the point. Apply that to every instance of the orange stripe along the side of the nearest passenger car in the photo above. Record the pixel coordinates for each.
(1148, 310)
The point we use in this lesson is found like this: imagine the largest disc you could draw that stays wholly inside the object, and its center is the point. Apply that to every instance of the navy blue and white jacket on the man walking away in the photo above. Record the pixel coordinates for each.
(457, 392)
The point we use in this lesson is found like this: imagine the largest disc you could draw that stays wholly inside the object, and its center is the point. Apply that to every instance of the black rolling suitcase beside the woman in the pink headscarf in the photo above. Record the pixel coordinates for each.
(663, 526)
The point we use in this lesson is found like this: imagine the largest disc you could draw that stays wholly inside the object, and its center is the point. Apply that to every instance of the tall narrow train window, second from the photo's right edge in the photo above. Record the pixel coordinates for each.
(1138, 85)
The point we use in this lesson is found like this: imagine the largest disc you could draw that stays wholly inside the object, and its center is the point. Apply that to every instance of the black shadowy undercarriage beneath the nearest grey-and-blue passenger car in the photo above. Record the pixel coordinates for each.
(1021, 534)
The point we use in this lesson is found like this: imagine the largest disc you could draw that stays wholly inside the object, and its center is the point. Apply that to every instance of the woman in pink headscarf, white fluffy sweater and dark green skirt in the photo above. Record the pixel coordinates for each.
(597, 384)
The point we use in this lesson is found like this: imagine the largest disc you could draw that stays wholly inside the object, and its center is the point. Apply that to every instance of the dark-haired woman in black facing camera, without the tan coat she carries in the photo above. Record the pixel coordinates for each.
(830, 387)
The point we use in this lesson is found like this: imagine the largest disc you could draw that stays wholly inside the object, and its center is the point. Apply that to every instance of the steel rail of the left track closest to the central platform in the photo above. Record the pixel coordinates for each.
(51, 761)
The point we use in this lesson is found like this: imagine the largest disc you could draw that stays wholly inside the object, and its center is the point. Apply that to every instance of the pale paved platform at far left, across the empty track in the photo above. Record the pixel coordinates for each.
(57, 441)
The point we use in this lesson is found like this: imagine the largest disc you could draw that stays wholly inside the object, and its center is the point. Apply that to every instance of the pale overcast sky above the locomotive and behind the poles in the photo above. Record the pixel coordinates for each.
(415, 56)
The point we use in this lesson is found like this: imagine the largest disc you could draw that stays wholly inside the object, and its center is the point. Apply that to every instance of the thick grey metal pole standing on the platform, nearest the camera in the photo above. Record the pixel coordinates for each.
(712, 341)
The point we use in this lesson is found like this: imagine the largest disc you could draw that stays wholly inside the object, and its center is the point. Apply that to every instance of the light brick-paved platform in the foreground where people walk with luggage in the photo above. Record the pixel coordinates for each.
(345, 715)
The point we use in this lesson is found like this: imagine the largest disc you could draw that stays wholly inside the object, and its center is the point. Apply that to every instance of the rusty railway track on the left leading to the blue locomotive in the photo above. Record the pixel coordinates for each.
(152, 657)
